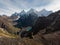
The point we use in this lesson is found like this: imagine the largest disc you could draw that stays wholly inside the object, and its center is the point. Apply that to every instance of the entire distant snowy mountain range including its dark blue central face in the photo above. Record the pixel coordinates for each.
(28, 18)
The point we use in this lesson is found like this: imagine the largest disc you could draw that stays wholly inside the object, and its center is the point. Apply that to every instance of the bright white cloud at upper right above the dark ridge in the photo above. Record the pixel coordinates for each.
(54, 6)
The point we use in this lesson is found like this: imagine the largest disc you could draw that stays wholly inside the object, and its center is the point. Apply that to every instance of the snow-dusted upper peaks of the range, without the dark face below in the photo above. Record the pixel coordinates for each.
(43, 12)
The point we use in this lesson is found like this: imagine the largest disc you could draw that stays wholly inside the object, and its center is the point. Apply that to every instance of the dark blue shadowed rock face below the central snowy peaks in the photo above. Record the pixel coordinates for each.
(26, 20)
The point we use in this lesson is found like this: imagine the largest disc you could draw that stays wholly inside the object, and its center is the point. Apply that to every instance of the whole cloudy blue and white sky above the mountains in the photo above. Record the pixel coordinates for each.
(8, 7)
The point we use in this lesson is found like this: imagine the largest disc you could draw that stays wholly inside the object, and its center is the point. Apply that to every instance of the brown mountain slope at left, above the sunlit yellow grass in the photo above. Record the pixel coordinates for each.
(7, 25)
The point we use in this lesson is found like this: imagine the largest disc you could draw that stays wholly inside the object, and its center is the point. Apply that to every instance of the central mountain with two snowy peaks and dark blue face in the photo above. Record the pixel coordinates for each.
(27, 18)
